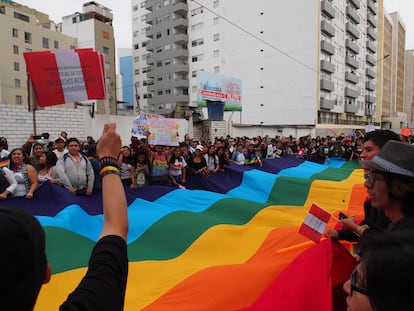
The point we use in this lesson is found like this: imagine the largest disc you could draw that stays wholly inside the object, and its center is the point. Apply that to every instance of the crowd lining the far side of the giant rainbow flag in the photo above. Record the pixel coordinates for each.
(73, 164)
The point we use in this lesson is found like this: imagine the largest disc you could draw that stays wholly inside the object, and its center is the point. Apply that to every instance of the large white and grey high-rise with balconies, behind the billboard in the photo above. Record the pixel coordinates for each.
(303, 64)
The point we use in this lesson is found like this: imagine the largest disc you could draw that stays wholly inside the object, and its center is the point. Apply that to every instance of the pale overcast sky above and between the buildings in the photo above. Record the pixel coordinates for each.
(122, 15)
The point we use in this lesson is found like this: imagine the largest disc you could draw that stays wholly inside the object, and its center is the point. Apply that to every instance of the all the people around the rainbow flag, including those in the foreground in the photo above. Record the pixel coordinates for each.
(383, 278)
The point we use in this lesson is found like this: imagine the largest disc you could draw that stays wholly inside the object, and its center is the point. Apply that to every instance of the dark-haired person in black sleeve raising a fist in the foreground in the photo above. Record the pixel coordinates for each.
(23, 262)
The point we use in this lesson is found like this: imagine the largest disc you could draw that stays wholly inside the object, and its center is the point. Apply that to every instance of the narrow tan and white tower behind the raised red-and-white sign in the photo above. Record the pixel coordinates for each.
(93, 29)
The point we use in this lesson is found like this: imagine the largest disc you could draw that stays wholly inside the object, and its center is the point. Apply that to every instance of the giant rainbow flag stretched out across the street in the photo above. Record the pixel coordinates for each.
(233, 245)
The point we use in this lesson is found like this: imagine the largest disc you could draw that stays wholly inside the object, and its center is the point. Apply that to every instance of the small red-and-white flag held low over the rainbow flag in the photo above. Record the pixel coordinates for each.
(314, 224)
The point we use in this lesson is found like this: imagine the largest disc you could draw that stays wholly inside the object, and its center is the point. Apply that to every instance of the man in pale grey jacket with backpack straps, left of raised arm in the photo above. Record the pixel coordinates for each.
(75, 170)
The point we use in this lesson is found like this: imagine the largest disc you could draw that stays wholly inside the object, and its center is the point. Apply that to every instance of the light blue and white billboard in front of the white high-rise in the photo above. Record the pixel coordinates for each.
(214, 87)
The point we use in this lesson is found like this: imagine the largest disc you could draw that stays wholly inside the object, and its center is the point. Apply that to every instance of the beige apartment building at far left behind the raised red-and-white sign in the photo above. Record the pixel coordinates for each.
(24, 30)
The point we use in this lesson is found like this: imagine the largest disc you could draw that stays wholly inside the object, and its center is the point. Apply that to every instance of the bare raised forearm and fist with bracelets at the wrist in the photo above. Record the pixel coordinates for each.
(113, 194)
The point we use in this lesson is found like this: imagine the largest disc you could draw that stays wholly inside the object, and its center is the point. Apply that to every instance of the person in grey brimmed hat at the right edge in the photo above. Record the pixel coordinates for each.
(390, 183)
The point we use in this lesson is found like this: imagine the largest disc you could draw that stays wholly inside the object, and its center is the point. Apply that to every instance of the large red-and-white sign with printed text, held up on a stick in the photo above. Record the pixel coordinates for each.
(66, 76)
